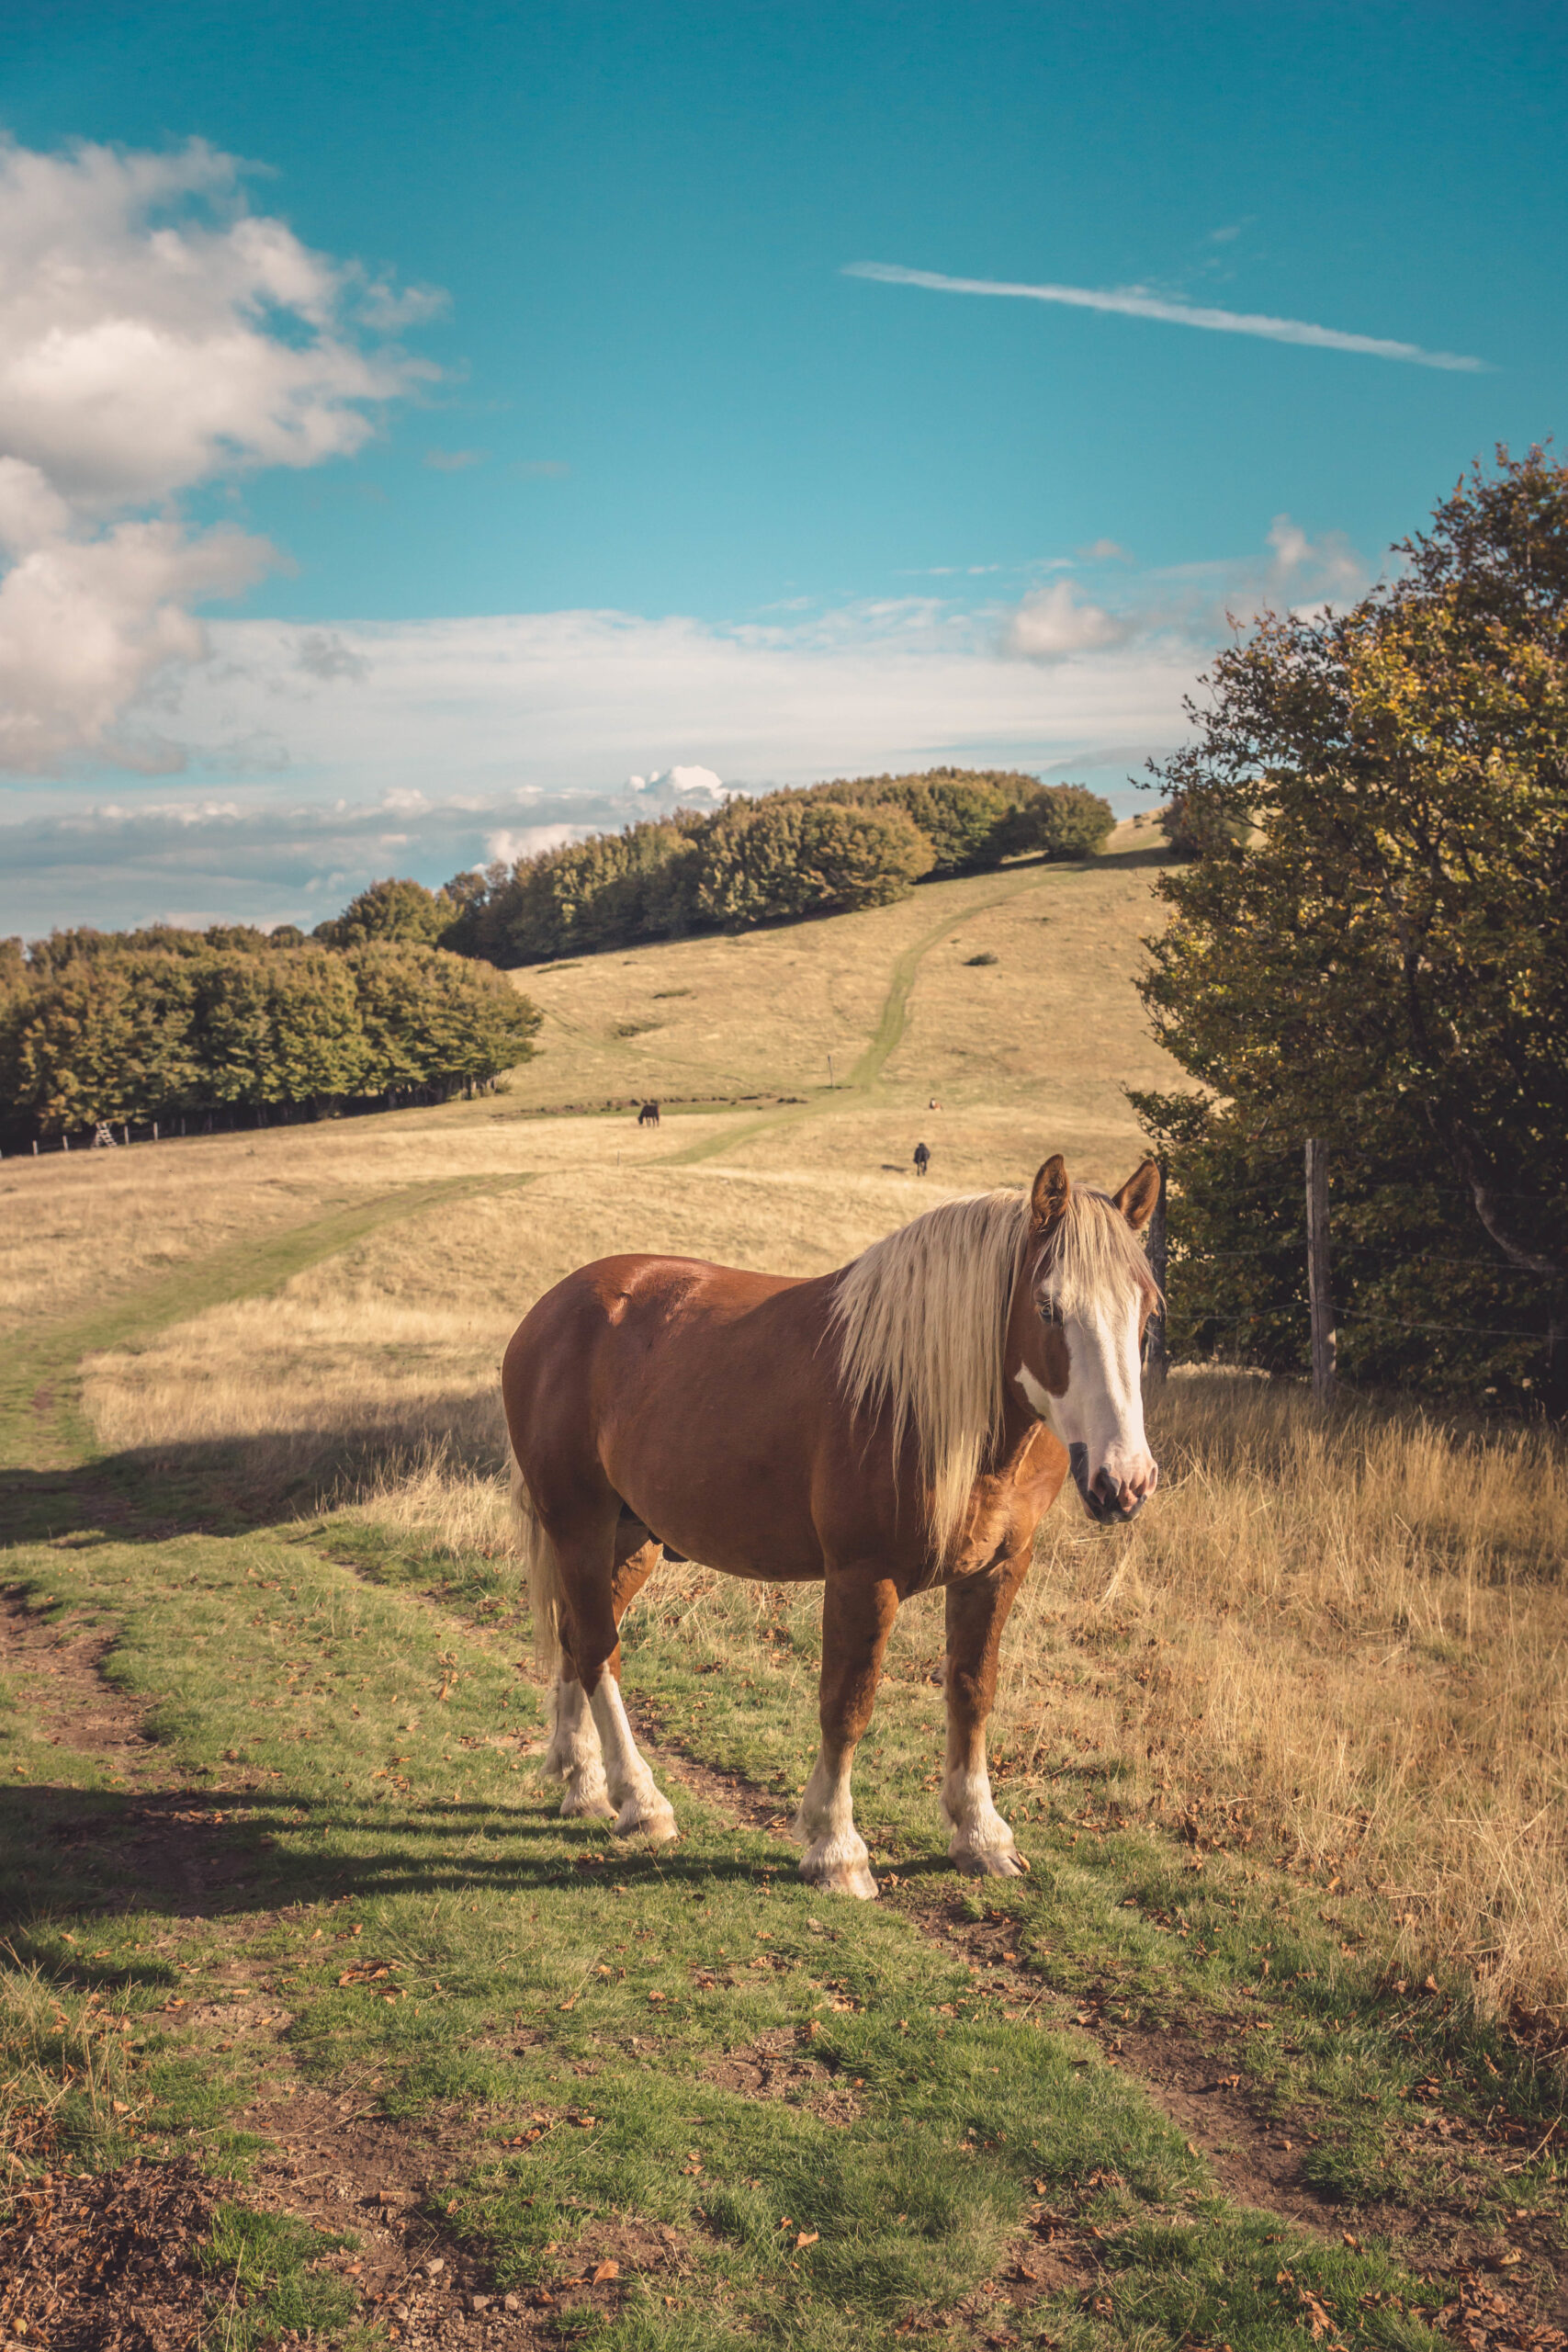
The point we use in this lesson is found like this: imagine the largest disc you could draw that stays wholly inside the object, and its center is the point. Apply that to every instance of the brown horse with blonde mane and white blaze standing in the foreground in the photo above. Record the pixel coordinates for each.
(887, 1429)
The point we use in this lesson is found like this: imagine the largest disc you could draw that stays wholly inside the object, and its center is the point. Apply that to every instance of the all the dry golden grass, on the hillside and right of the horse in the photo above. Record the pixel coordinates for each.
(1346, 1633)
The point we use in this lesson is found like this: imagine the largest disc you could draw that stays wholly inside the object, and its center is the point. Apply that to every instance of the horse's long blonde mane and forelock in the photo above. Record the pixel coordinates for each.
(923, 1318)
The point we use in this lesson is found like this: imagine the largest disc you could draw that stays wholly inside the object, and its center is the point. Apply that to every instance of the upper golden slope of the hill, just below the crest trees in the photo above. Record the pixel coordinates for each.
(1036, 1043)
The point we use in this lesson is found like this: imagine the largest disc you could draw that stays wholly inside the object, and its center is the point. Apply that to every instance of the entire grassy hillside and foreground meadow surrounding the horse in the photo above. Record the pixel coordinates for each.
(1264, 2052)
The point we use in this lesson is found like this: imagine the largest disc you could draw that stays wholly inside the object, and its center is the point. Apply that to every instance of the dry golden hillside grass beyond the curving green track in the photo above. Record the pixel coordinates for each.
(1031, 1048)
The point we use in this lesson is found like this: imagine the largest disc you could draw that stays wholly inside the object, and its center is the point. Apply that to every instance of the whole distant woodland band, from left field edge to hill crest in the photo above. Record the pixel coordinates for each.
(401, 996)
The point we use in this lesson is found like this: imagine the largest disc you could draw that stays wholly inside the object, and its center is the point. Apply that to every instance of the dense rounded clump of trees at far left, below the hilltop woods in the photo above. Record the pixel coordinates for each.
(170, 1024)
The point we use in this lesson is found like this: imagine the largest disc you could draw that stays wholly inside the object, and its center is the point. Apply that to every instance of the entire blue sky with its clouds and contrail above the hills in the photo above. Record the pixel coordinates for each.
(601, 462)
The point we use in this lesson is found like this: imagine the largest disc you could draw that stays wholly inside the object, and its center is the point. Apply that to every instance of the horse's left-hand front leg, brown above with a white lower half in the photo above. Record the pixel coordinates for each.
(857, 1624)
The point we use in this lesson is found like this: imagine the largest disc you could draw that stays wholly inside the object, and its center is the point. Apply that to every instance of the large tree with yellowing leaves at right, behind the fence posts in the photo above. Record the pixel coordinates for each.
(1369, 942)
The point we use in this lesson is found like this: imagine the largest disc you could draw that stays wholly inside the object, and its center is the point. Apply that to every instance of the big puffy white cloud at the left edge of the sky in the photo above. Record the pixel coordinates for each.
(154, 335)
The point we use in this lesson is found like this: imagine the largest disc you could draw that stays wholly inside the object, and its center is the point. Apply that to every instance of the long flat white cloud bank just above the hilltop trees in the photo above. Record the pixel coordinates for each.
(504, 735)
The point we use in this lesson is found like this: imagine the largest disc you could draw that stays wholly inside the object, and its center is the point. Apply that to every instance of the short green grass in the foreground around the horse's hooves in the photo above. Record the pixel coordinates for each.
(537, 1970)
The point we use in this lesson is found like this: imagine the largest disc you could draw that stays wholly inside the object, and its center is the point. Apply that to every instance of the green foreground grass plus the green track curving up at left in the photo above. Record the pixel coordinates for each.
(342, 1720)
